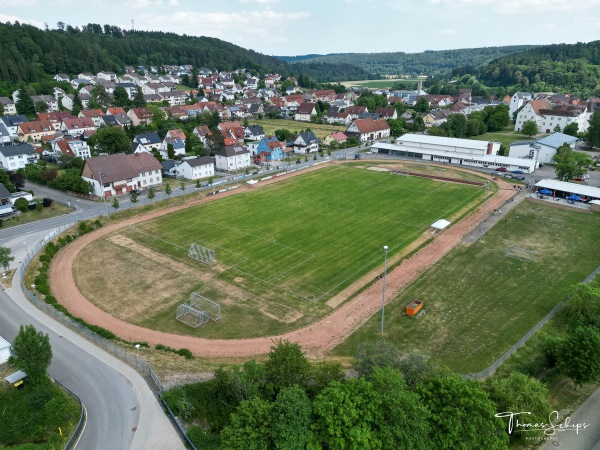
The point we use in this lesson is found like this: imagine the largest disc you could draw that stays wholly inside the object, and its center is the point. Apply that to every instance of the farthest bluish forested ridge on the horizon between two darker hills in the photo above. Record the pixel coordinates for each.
(431, 62)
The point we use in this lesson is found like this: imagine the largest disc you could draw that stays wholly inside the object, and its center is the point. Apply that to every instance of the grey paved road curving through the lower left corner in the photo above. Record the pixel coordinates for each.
(122, 410)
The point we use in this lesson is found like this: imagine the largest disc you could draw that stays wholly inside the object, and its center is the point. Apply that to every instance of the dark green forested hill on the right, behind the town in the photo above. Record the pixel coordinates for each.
(561, 67)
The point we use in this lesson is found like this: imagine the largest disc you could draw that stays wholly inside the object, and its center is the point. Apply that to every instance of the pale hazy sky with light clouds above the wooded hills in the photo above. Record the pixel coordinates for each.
(294, 27)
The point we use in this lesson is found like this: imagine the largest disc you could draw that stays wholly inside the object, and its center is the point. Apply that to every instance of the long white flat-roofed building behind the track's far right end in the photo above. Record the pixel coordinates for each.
(464, 152)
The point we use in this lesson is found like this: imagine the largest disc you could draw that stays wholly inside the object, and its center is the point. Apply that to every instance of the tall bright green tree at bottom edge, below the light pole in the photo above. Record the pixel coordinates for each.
(405, 420)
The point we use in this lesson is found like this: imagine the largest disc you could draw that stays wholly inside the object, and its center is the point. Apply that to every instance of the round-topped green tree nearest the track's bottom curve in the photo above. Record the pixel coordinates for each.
(286, 366)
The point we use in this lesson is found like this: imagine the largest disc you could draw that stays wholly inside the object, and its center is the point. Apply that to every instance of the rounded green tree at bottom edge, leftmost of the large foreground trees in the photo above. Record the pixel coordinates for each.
(249, 428)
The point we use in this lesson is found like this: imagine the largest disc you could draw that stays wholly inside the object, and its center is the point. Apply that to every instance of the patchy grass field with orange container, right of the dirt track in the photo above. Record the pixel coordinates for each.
(479, 302)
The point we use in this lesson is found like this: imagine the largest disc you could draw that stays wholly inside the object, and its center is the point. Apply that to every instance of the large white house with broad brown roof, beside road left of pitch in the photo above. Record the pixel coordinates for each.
(120, 173)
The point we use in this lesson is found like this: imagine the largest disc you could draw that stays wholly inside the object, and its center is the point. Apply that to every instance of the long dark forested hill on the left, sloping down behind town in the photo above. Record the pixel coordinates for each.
(29, 54)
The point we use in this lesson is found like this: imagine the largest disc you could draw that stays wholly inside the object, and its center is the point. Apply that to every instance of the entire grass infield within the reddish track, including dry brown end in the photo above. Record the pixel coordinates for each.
(282, 251)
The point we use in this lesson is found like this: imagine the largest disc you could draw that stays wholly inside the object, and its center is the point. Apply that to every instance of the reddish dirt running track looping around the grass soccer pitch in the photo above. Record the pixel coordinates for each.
(315, 339)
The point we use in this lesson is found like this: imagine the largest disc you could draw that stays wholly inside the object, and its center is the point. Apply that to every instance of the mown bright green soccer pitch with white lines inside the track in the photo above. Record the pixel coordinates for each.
(314, 234)
